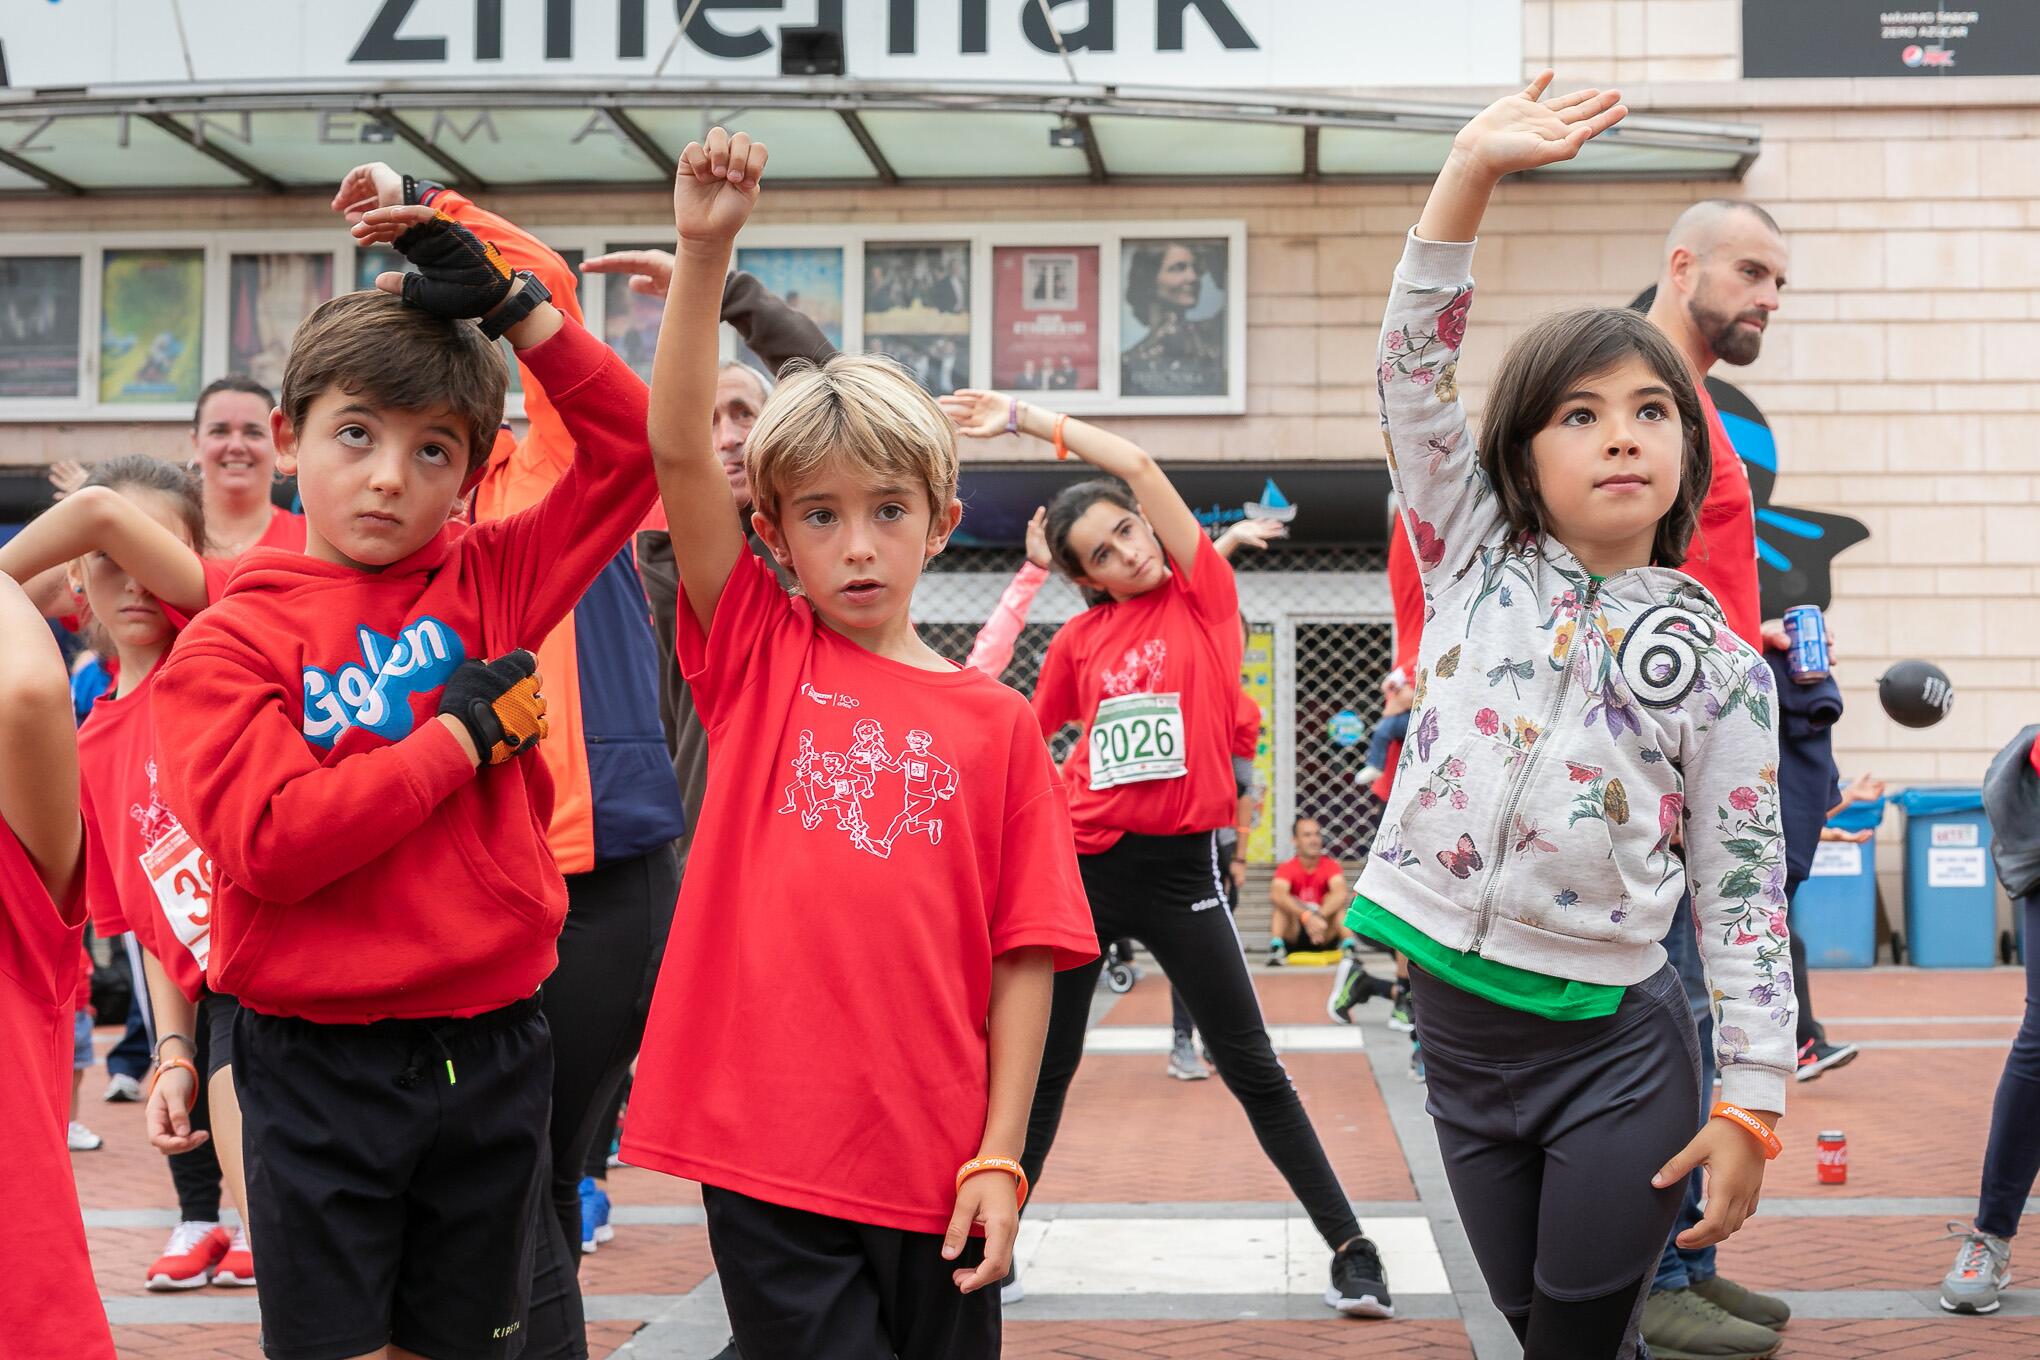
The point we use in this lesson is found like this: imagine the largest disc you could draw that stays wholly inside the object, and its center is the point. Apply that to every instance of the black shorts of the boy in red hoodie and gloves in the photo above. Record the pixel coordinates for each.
(395, 1180)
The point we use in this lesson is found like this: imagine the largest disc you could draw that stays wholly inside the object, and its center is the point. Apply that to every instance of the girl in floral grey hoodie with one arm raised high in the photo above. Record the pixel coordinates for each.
(1590, 743)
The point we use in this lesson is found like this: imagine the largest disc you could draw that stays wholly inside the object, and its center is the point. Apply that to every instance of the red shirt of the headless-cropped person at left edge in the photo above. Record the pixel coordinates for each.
(48, 1288)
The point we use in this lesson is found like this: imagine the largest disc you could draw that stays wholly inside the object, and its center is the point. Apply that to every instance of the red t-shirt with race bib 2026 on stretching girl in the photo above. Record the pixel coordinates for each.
(1156, 682)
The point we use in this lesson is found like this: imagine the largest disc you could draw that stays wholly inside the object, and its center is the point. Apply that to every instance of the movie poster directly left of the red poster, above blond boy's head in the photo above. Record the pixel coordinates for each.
(919, 311)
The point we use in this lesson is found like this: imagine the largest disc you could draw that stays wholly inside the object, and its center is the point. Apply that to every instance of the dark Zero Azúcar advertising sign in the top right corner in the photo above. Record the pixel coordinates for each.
(1880, 38)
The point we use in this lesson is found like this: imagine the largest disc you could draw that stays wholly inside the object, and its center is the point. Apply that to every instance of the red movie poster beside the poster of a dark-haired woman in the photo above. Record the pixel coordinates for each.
(1045, 319)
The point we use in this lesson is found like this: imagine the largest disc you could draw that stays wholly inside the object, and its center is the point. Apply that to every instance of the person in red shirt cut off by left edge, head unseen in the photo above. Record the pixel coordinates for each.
(46, 1294)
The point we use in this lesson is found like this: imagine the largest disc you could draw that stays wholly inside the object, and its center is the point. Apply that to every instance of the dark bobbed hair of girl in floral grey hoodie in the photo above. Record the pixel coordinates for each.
(1555, 358)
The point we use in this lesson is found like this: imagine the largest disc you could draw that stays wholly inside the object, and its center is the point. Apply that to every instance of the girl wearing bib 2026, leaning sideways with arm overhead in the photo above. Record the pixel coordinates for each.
(1154, 676)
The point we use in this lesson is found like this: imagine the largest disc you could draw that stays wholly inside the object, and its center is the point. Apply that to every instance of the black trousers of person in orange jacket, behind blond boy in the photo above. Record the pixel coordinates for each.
(595, 1004)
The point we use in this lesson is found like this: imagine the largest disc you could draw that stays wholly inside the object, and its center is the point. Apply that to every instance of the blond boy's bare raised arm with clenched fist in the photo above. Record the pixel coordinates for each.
(715, 191)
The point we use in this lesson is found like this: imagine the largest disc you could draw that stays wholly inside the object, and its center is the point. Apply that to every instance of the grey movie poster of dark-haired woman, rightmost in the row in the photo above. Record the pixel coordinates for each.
(1174, 321)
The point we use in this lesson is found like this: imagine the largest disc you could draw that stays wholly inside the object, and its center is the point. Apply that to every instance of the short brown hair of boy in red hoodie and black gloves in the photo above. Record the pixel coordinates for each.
(389, 352)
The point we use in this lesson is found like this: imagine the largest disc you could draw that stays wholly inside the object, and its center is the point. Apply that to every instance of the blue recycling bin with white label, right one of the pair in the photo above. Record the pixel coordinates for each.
(1951, 888)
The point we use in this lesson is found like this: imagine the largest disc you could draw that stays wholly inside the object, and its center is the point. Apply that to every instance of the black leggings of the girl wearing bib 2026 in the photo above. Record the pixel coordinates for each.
(1168, 894)
